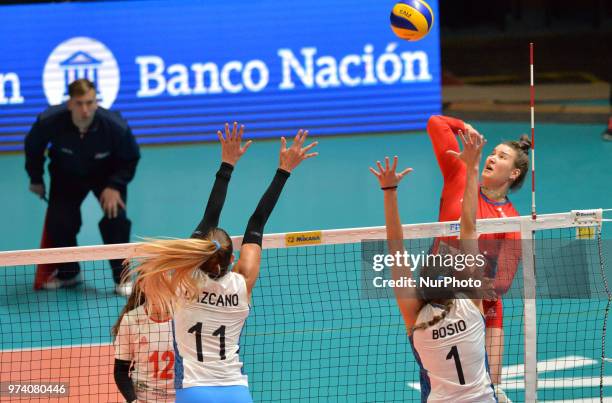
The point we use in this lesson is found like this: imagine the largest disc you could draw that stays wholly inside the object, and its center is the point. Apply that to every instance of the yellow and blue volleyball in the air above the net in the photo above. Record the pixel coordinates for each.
(411, 20)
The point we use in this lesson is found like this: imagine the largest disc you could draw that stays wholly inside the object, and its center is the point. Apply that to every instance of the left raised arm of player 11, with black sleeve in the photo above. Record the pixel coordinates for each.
(231, 151)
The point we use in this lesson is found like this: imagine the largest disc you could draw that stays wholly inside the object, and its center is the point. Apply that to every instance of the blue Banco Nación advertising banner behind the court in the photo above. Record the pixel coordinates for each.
(177, 70)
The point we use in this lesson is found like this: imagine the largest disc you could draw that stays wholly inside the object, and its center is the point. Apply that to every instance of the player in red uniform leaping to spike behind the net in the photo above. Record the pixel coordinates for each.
(505, 169)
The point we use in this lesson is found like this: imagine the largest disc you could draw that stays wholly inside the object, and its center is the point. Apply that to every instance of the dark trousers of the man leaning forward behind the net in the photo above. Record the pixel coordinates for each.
(64, 221)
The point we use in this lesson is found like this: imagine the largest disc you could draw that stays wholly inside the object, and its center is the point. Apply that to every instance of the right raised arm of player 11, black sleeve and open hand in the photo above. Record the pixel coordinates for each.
(250, 251)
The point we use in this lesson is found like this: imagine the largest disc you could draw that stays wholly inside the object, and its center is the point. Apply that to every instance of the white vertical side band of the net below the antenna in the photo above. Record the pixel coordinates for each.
(529, 311)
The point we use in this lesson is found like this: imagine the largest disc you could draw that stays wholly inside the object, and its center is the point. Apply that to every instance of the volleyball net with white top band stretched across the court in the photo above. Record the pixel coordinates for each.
(320, 329)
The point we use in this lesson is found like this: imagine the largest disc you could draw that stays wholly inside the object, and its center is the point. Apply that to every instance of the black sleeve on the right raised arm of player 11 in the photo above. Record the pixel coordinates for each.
(254, 230)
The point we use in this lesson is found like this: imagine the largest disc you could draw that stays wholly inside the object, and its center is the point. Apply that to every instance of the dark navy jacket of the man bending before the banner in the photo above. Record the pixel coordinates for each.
(107, 152)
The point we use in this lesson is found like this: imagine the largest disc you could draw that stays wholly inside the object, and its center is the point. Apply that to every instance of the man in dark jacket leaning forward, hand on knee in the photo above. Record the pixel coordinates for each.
(92, 149)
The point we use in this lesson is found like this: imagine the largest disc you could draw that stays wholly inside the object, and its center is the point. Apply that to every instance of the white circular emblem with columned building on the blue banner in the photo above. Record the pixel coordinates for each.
(76, 58)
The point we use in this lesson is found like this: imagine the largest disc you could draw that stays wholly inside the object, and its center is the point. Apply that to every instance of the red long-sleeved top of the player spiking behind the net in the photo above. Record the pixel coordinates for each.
(442, 131)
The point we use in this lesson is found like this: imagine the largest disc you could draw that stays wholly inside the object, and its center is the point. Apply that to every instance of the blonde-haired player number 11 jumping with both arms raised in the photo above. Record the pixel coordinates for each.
(193, 280)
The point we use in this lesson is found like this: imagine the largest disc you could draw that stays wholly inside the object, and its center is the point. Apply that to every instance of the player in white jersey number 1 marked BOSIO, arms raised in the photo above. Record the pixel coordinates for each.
(446, 328)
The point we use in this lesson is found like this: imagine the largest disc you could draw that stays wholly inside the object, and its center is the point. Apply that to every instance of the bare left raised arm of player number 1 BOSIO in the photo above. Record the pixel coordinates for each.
(407, 298)
